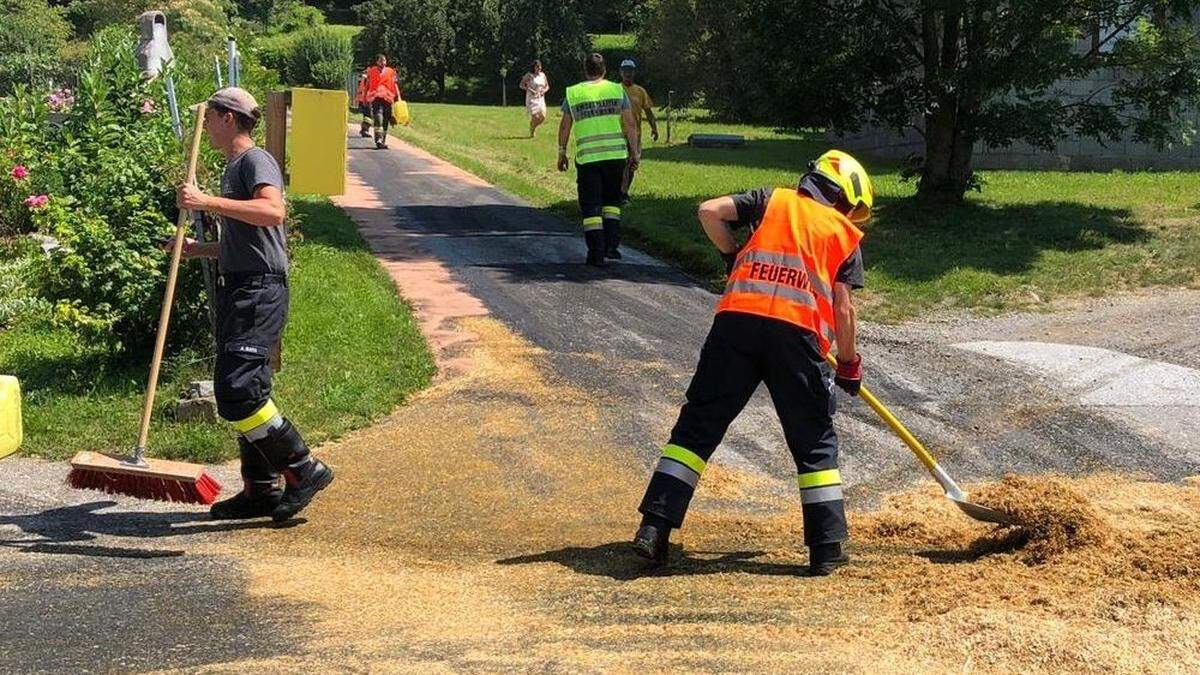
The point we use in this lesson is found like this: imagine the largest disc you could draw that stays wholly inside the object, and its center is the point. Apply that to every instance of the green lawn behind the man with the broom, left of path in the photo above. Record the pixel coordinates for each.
(352, 353)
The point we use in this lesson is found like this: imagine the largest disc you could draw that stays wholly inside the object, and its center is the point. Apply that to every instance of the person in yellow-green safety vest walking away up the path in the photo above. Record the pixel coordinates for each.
(605, 144)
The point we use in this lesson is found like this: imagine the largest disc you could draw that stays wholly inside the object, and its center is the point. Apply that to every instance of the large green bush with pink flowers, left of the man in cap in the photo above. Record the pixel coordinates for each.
(100, 164)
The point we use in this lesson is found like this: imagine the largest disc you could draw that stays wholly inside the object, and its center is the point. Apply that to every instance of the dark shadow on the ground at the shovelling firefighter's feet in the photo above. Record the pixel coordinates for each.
(617, 561)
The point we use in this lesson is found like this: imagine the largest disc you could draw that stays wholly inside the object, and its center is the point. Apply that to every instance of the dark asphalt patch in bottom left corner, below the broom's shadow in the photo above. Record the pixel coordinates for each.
(115, 616)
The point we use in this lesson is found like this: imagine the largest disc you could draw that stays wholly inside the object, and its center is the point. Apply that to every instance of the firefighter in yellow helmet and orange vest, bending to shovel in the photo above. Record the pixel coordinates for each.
(787, 304)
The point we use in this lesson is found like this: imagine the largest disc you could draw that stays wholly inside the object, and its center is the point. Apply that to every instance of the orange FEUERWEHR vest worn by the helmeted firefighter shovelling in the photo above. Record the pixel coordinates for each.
(789, 267)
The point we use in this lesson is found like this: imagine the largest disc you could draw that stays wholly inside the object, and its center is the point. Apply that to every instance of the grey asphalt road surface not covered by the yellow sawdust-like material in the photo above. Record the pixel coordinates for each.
(117, 586)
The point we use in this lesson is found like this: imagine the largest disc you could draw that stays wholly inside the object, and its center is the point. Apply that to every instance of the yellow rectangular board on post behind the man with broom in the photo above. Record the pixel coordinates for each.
(319, 142)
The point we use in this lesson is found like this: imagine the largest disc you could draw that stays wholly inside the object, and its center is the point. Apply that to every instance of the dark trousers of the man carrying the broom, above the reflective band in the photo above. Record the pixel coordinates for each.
(253, 312)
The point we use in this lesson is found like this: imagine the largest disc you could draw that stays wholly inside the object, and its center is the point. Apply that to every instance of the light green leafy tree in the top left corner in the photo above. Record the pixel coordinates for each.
(32, 35)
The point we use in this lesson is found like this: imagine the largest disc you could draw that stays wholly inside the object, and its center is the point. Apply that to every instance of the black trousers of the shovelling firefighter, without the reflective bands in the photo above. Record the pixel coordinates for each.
(741, 353)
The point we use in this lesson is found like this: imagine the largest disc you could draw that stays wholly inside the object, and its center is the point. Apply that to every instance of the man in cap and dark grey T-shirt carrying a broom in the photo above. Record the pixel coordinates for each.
(253, 309)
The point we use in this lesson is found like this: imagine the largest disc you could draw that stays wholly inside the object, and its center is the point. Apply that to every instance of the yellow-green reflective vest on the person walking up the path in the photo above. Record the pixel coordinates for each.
(596, 109)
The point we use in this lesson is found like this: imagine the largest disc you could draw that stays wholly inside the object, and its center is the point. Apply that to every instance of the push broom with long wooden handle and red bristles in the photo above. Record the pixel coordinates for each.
(139, 476)
